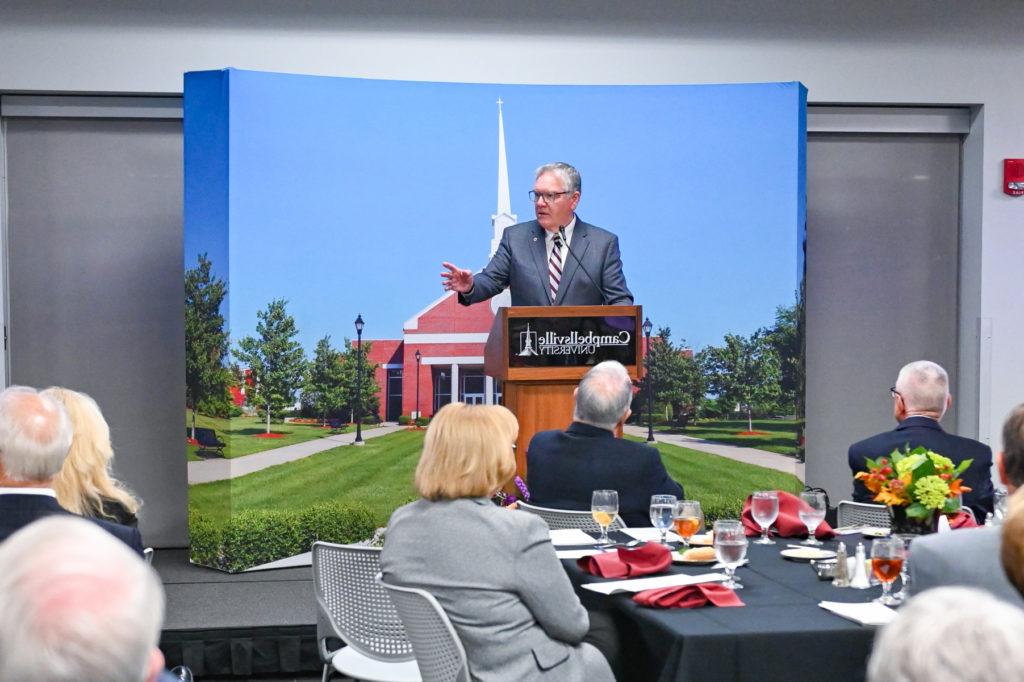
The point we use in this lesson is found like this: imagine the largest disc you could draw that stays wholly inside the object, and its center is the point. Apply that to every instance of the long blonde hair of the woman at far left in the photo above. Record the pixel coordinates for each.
(84, 481)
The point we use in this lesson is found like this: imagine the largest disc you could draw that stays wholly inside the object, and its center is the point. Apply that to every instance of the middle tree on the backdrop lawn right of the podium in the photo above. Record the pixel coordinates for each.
(744, 371)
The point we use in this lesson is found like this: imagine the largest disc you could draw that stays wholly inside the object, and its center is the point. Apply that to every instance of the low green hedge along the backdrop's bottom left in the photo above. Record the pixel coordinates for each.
(254, 537)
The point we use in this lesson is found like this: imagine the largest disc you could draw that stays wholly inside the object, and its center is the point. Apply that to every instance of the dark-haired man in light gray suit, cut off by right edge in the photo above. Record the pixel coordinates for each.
(971, 557)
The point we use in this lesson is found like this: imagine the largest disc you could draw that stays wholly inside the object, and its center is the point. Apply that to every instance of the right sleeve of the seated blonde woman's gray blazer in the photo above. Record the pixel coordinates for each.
(544, 586)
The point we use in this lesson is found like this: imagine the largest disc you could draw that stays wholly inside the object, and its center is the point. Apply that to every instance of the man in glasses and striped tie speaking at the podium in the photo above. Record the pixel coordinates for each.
(541, 261)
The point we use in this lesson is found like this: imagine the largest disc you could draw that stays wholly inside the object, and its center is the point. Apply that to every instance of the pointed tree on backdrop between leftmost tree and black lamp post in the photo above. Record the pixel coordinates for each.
(275, 360)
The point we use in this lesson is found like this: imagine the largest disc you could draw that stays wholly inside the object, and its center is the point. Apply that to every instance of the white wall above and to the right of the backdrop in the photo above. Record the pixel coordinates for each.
(917, 53)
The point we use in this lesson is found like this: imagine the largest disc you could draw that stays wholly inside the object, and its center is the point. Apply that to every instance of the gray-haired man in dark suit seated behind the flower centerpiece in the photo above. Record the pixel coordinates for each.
(921, 399)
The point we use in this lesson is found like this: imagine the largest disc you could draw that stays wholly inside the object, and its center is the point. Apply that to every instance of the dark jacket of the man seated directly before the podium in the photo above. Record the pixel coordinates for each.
(564, 470)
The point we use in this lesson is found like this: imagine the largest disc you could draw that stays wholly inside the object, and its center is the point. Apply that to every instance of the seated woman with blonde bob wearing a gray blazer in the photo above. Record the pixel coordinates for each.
(493, 570)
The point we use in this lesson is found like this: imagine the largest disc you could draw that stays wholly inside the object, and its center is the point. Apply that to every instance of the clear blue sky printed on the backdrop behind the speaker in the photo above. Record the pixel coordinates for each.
(345, 195)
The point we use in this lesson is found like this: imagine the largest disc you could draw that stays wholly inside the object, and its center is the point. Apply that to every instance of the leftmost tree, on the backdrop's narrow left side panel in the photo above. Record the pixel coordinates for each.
(207, 380)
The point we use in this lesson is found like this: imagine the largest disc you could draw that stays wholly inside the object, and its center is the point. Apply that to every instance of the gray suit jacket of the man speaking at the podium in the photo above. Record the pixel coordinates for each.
(522, 263)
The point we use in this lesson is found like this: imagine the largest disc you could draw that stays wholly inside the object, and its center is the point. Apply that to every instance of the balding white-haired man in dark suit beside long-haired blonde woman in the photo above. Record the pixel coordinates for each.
(35, 437)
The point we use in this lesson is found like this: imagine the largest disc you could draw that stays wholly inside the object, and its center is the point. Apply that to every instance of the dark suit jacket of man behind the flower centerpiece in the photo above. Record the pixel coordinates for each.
(923, 432)
